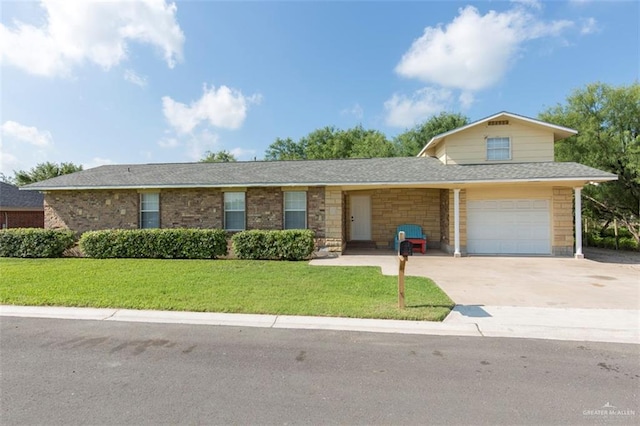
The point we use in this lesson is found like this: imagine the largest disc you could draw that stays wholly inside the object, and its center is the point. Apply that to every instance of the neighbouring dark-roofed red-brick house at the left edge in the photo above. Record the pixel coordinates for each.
(20, 209)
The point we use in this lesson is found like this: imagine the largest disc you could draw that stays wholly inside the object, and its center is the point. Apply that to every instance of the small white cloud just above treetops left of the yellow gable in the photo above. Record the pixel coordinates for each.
(402, 111)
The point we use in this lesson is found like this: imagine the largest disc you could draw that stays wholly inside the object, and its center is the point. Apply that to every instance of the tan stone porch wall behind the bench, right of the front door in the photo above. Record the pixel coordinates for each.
(396, 206)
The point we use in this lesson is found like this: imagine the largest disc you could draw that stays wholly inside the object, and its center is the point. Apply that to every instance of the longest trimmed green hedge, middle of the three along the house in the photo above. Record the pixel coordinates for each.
(155, 243)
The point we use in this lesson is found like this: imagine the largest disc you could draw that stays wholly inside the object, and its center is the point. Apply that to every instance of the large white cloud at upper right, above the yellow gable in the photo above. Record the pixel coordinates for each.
(474, 51)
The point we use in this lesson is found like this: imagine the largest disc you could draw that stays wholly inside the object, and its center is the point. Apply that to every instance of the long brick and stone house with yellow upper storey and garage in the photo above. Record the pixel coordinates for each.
(490, 187)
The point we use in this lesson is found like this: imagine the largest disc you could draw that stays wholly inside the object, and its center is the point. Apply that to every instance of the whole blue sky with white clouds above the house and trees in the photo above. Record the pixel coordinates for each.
(154, 81)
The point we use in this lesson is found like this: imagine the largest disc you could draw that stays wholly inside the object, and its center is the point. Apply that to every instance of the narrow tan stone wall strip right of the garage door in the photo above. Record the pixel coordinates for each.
(562, 219)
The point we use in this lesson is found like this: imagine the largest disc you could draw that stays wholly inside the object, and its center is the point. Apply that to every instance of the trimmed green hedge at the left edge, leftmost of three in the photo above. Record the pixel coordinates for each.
(35, 242)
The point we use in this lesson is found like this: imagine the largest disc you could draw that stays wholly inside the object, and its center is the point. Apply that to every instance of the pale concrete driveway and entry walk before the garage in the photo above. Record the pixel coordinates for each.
(602, 280)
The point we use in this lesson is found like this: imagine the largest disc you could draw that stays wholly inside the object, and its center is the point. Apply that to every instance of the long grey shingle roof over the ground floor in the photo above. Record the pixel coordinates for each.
(372, 171)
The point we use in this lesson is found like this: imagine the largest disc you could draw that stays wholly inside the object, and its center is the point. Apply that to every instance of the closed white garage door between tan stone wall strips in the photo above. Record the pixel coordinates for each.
(508, 227)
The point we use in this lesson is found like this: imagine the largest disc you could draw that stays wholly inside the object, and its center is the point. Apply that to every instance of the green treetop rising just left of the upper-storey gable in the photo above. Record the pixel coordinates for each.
(409, 143)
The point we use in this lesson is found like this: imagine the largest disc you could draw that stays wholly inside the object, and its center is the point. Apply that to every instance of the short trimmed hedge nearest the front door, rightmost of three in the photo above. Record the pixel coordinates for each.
(294, 244)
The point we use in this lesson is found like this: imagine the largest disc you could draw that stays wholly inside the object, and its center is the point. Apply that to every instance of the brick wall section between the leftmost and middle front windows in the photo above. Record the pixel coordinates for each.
(191, 208)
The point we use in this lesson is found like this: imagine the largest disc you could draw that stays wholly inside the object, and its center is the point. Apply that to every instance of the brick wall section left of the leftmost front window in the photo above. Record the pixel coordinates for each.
(83, 211)
